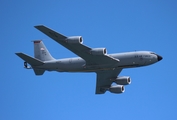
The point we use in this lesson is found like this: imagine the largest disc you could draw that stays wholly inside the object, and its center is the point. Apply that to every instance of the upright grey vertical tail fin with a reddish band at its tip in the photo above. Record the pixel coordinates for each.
(41, 52)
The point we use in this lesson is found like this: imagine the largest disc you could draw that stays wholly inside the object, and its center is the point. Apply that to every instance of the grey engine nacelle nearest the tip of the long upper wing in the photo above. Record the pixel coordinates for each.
(74, 40)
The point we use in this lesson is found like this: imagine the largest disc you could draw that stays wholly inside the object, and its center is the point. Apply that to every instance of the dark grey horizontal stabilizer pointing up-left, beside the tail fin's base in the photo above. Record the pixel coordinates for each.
(32, 61)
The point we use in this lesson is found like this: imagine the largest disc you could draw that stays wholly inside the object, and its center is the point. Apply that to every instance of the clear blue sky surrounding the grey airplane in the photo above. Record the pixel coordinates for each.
(120, 26)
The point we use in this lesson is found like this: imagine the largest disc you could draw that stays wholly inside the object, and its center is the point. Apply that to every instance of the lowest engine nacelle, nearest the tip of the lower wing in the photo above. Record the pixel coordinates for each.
(117, 89)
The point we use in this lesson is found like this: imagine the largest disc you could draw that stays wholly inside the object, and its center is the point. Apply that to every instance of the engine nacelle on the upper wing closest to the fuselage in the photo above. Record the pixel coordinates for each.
(98, 51)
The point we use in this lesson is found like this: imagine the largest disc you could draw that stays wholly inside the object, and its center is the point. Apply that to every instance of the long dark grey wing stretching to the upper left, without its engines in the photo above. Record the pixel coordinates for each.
(79, 49)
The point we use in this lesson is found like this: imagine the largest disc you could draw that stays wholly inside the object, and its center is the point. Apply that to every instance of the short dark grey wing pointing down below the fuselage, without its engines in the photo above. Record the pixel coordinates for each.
(103, 79)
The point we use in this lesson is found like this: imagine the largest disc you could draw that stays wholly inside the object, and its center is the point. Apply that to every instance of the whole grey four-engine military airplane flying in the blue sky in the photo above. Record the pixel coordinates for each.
(106, 66)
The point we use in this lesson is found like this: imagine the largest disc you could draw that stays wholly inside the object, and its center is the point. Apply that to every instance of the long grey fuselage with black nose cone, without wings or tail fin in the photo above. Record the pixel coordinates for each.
(77, 64)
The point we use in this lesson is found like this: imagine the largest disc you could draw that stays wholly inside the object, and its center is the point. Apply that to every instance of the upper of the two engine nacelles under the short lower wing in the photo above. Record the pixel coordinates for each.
(123, 80)
